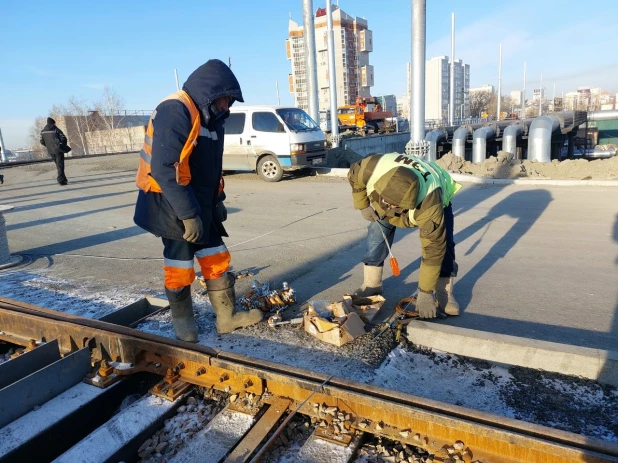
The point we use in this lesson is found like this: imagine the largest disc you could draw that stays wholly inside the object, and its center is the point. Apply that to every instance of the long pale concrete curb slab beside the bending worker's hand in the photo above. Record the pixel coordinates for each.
(596, 364)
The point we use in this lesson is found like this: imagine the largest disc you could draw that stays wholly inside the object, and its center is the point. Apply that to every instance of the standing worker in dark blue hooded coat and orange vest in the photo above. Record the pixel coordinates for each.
(181, 195)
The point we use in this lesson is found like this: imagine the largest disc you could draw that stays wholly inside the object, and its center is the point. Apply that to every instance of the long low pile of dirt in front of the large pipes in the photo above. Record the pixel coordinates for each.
(504, 166)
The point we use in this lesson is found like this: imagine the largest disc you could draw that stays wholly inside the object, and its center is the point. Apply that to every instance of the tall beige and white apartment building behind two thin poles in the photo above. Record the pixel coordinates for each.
(353, 42)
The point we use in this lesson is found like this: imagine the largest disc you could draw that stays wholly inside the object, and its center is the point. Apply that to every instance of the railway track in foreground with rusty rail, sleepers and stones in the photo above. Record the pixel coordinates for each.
(59, 397)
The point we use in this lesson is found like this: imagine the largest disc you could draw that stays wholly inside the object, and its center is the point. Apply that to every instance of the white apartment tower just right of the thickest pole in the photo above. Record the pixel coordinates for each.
(437, 81)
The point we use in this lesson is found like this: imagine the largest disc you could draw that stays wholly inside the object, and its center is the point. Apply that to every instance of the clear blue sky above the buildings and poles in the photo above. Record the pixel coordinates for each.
(52, 50)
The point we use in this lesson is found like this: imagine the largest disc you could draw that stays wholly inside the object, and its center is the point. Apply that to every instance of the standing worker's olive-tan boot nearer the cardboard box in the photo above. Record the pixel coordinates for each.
(223, 300)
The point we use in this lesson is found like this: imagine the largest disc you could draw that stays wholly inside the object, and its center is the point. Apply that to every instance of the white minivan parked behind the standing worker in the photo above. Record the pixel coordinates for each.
(272, 139)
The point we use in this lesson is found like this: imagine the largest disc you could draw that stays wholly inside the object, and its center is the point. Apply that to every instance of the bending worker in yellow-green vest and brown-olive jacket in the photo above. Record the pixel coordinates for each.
(395, 190)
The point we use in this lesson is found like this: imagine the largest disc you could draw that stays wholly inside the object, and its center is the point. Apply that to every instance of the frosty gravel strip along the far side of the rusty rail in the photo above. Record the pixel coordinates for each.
(537, 397)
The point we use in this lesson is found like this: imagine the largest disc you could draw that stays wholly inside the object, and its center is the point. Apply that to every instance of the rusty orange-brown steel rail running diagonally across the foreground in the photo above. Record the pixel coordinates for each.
(424, 423)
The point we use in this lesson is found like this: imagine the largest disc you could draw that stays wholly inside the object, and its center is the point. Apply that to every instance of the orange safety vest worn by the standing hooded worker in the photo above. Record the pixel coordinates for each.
(183, 174)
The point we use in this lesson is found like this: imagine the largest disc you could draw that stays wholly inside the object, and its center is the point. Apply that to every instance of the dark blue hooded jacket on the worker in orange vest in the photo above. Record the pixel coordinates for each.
(162, 213)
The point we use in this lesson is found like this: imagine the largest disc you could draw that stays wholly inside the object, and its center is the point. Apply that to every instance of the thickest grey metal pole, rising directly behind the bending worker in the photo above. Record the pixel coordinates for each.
(417, 112)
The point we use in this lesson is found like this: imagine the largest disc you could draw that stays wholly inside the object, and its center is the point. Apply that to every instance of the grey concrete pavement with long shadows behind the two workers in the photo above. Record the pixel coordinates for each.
(535, 261)
